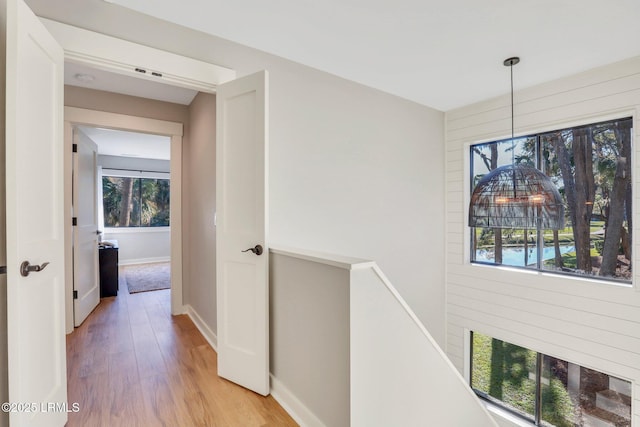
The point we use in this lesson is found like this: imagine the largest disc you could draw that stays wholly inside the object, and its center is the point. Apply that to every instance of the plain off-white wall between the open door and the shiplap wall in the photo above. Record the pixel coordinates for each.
(354, 171)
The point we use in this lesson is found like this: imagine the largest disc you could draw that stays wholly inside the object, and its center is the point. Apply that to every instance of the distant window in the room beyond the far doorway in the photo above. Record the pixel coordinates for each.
(135, 202)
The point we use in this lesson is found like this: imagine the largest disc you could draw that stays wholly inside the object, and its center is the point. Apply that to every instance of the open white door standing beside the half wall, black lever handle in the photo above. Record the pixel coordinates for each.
(241, 203)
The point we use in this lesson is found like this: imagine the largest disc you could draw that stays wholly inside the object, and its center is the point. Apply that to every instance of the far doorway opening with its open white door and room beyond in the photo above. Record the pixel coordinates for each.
(121, 211)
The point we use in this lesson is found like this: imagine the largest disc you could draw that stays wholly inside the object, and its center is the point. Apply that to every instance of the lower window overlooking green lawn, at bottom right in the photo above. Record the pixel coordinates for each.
(545, 390)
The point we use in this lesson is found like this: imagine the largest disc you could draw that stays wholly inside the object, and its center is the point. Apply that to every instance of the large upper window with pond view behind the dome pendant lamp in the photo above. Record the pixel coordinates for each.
(591, 167)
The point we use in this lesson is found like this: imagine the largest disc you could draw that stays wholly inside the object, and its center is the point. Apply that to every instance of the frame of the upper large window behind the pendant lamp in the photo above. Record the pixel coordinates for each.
(470, 240)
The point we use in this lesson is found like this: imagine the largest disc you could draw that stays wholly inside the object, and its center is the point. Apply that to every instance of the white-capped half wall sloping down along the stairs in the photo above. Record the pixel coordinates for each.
(348, 351)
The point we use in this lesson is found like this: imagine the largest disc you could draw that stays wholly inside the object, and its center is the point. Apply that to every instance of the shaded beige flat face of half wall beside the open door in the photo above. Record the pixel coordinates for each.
(309, 353)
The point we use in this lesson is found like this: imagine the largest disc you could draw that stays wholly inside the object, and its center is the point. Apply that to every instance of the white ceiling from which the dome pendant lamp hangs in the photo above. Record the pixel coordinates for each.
(444, 54)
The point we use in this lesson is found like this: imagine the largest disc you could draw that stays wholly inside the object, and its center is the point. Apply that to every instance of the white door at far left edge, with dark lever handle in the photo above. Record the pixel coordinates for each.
(35, 223)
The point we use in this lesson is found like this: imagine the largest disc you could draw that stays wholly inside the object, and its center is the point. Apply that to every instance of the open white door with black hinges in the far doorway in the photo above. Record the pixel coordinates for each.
(85, 232)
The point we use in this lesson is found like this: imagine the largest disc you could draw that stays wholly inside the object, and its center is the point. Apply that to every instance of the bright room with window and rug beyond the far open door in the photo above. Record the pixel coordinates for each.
(133, 201)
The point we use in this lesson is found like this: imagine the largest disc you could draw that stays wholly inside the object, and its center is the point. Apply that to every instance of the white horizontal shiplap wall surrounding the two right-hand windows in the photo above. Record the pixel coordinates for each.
(591, 323)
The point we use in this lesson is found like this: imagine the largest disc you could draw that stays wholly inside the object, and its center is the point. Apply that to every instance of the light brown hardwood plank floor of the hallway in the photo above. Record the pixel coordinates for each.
(132, 364)
